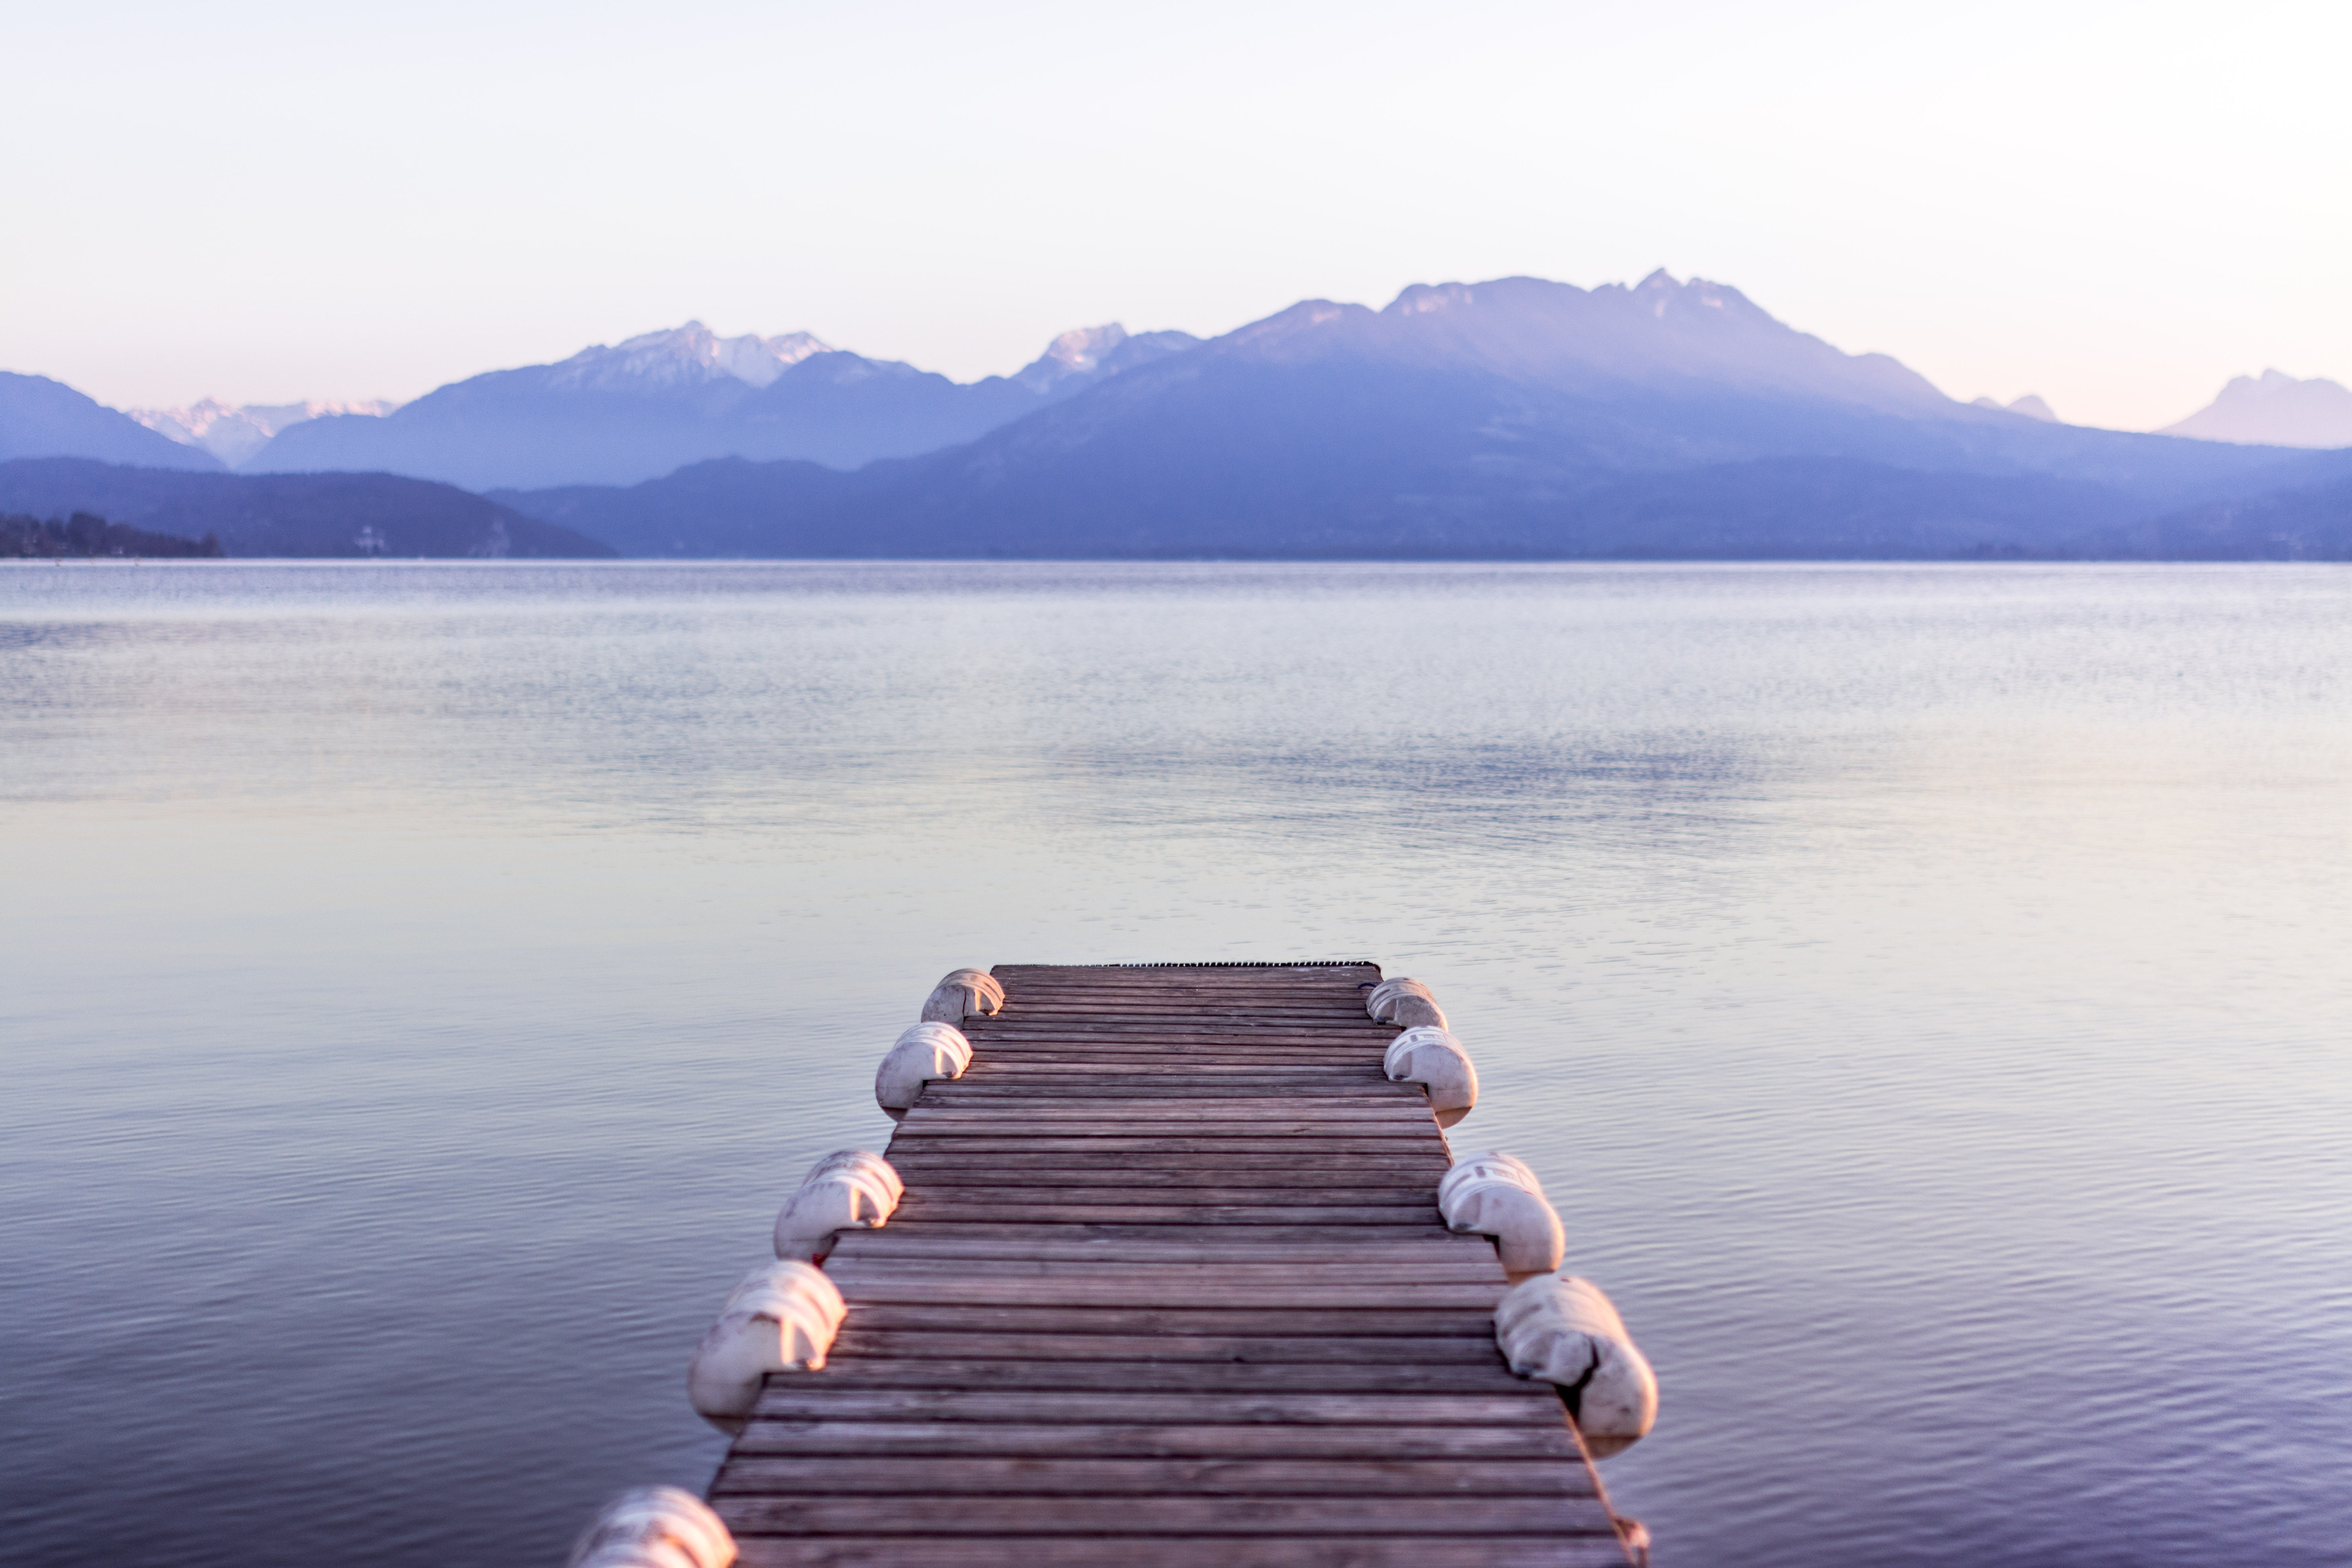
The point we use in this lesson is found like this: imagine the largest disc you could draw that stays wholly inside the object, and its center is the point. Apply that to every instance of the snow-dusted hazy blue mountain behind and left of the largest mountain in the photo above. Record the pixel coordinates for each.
(671, 398)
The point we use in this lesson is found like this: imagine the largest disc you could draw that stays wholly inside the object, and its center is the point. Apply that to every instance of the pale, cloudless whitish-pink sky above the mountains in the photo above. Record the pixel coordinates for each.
(2113, 206)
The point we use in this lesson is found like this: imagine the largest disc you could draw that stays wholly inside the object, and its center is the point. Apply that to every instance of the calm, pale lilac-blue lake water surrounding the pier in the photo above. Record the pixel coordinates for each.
(1923, 991)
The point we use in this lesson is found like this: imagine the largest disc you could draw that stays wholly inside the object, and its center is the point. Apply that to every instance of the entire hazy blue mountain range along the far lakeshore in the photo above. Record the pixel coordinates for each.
(1504, 420)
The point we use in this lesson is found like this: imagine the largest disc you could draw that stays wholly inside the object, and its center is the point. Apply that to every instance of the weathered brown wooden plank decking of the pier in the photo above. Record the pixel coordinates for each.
(1168, 1287)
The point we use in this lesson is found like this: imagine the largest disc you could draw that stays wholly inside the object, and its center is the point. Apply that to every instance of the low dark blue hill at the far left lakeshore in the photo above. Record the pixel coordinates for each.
(307, 516)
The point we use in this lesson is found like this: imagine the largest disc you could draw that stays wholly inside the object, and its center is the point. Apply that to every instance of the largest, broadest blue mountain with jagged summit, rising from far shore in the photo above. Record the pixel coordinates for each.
(1506, 420)
